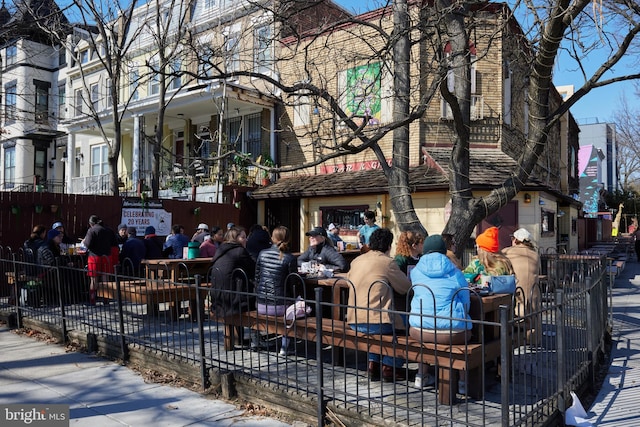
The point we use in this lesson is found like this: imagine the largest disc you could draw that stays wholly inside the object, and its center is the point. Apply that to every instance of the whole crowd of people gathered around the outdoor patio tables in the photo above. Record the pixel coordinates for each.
(424, 278)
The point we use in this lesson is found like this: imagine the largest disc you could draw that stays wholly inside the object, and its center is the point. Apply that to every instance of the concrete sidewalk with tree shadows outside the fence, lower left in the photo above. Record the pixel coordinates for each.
(102, 393)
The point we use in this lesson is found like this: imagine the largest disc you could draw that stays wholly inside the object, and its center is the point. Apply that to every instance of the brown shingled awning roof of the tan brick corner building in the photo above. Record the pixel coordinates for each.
(488, 169)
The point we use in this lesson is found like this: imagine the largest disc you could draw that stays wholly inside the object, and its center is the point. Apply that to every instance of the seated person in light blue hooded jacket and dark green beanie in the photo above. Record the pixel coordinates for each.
(437, 298)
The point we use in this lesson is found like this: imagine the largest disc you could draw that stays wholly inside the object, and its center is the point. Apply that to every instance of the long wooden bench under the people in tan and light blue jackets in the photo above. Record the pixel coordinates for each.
(448, 359)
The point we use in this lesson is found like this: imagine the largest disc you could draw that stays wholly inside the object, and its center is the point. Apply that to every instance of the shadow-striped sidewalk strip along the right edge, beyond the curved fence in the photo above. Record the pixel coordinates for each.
(617, 402)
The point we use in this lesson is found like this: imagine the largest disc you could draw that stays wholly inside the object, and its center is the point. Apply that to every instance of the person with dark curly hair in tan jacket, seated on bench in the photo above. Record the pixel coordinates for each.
(376, 277)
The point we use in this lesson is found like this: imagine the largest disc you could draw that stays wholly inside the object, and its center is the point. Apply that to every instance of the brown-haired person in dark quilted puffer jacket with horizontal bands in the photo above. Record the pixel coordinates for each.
(272, 268)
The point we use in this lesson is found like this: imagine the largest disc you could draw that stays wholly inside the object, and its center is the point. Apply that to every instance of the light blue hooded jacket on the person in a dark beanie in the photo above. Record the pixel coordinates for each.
(437, 285)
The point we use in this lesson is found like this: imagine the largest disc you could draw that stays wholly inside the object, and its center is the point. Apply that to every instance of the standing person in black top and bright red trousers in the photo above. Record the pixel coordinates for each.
(100, 242)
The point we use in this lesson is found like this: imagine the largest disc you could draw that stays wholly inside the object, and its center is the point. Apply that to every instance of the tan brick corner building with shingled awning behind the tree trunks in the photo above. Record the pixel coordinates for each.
(351, 63)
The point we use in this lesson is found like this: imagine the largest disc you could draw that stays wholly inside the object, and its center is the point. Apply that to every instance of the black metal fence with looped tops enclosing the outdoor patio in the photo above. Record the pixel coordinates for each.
(527, 384)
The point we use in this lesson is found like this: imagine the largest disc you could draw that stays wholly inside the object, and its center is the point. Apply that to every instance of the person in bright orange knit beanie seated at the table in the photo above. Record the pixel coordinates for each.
(489, 261)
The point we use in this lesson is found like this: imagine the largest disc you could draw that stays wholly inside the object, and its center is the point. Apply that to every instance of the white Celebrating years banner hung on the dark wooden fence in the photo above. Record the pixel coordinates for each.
(139, 214)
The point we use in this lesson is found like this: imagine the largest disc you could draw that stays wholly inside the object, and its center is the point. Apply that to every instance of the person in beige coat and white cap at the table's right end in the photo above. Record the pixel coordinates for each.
(525, 261)
